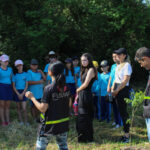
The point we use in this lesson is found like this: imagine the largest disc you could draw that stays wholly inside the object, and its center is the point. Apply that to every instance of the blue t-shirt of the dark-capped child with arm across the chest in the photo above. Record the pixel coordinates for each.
(36, 89)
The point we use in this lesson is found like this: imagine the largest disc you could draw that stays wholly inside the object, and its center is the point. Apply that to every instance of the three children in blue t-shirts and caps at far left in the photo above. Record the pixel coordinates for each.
(13, 85)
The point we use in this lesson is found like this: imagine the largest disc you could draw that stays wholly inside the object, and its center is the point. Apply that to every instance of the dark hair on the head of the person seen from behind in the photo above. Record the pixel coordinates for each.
(57, 70)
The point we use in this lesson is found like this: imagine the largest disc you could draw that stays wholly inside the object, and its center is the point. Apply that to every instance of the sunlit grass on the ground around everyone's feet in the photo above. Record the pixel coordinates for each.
(17, 137)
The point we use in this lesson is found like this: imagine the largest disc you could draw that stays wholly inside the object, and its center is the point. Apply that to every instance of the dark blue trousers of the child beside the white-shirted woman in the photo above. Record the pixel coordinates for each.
(117, 117)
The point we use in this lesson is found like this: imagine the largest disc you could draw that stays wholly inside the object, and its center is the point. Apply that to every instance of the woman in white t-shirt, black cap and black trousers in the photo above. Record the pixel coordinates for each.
(121, 88)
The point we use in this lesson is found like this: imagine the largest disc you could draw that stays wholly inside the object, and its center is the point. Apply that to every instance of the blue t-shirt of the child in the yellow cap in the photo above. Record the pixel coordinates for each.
(96, 85)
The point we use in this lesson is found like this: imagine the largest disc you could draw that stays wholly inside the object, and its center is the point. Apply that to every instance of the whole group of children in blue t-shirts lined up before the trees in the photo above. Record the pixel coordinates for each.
(15, 82)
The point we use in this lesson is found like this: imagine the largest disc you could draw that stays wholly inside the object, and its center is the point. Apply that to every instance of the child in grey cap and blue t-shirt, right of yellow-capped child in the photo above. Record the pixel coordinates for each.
(105, 106)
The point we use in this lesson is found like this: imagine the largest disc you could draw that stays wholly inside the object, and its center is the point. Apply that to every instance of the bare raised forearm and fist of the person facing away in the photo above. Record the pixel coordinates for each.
(42, 107)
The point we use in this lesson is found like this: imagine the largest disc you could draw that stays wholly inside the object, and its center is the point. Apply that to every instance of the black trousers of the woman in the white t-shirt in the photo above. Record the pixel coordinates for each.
(122, 106)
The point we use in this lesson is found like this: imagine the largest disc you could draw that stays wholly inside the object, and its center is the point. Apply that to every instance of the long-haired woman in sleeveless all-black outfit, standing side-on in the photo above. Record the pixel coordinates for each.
(85, 104)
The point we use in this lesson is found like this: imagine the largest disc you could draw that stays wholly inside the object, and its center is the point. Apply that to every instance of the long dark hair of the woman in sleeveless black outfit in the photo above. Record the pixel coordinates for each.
(90, 65)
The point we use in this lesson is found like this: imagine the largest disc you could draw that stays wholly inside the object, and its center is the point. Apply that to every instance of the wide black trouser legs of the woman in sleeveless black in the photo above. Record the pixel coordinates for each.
(84, 127)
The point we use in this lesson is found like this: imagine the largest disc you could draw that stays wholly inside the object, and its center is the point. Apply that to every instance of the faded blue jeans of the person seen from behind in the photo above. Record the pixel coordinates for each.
(61, 140)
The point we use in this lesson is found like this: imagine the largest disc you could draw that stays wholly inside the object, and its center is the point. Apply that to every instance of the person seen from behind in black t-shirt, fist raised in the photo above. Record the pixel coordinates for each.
(55, 106)
